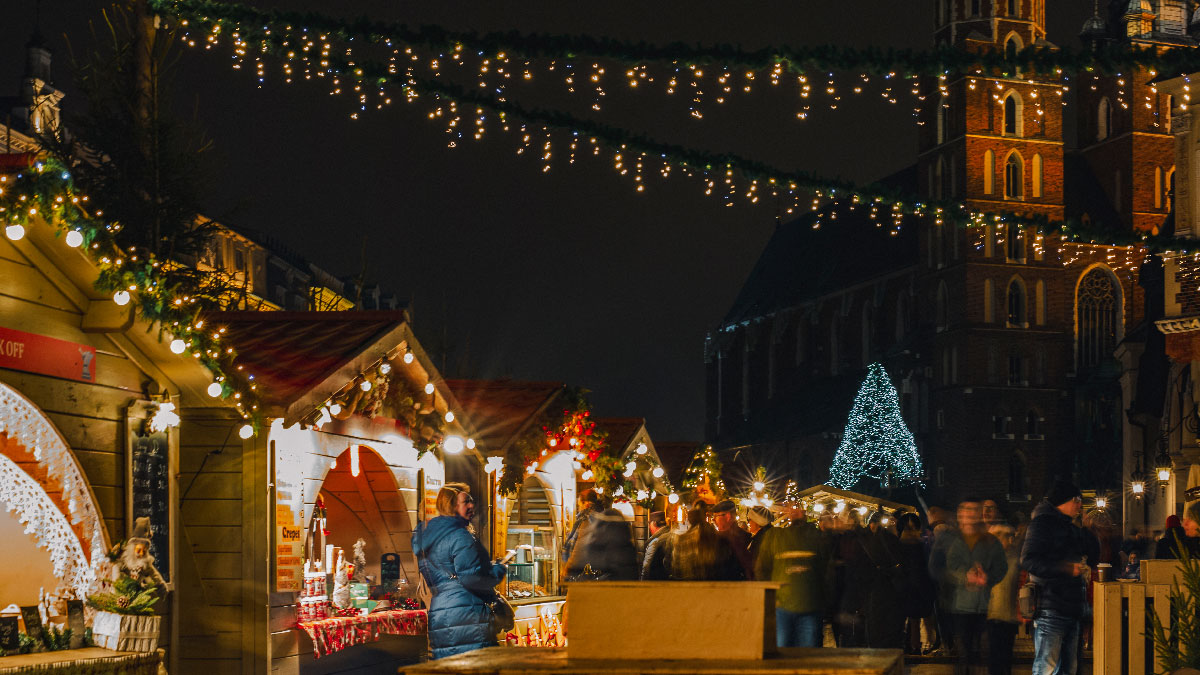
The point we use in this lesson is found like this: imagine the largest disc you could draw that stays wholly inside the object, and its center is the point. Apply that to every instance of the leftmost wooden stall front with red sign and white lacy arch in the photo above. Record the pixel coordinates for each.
(89, 441)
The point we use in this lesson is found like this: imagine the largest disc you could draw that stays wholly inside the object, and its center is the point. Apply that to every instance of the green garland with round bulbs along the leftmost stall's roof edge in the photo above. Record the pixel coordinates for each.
(166, 294)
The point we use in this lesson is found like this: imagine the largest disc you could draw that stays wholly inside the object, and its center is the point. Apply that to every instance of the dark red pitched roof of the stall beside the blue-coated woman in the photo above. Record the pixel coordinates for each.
(295, 355)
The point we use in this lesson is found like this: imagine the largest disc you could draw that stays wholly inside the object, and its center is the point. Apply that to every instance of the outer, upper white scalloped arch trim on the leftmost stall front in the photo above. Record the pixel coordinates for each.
(27, 425)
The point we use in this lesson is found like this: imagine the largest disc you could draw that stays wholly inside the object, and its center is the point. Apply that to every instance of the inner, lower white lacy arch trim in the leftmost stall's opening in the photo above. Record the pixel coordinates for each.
(47, 524)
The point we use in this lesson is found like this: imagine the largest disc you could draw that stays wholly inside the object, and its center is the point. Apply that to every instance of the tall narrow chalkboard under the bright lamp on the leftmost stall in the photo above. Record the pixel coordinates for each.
(151, 477)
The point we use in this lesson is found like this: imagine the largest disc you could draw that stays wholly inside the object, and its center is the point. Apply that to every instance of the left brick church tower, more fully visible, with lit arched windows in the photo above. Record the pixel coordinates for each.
(1024, 328)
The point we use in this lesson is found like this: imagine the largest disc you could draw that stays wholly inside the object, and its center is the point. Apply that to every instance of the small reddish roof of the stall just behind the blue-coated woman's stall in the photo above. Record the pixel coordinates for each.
(501, 410)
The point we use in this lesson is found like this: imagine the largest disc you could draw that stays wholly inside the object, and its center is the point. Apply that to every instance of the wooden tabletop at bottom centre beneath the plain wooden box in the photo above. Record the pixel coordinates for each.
(505, 661)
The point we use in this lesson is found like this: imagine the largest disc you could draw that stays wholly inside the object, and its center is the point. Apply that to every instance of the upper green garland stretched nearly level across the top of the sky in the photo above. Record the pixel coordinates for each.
(1102, 59)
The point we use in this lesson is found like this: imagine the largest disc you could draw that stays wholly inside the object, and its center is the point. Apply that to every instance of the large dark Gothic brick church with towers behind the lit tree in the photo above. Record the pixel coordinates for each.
(1016, 355)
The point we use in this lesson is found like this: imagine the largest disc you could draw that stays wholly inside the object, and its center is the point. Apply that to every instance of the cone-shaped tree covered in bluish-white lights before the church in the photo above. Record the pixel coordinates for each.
(877, 443)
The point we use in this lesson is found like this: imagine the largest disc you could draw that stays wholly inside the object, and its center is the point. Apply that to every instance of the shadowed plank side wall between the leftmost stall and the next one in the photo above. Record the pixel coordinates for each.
(223, 546)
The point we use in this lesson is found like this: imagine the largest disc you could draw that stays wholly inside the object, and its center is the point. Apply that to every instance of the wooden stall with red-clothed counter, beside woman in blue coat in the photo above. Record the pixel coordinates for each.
(361, 428)
